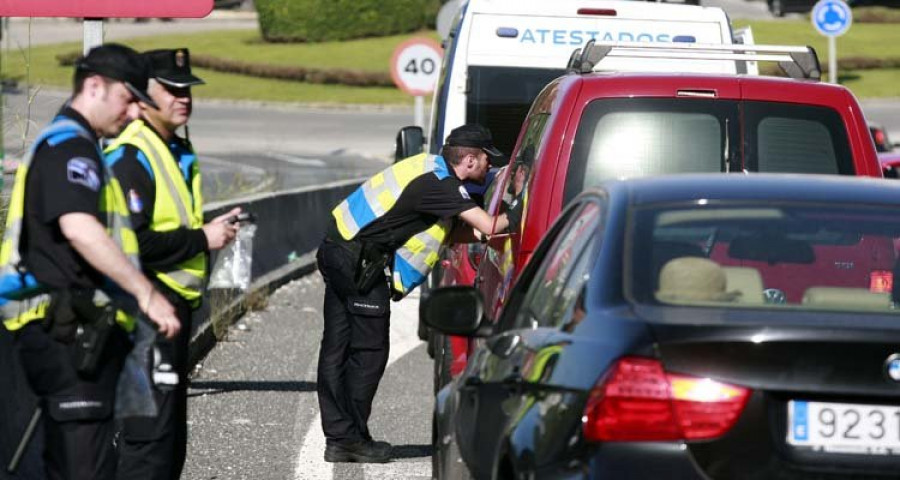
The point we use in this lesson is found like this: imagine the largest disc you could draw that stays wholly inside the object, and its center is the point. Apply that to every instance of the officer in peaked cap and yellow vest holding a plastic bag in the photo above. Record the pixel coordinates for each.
(159, 174)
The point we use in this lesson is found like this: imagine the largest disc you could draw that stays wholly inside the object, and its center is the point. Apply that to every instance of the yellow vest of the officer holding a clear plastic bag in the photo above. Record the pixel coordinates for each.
(175, 206)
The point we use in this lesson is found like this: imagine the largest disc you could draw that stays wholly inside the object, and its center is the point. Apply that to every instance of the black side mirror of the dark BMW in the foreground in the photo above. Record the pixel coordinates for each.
(456, 310)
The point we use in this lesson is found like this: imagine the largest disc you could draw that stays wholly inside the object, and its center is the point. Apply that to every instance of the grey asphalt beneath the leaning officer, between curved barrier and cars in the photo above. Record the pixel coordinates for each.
(253, 412)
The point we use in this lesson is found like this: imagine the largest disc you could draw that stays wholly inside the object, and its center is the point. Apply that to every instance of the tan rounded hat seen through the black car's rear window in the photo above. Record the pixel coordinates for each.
(693, 279)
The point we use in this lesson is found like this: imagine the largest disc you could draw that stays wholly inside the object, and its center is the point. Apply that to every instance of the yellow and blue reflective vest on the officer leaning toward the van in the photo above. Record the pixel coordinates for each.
(376, 196)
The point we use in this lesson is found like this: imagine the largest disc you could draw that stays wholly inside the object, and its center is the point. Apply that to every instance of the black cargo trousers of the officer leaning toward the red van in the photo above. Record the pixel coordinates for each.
(354, 349)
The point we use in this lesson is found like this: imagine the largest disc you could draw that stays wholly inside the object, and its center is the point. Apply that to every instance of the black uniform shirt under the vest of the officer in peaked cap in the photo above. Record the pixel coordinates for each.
(158, 249)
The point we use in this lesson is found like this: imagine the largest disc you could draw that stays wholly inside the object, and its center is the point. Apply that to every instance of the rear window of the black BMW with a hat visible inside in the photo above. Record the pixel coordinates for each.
(786, 255)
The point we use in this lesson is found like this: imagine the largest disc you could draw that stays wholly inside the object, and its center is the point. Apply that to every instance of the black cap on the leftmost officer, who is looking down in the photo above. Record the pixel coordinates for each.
(118, 62)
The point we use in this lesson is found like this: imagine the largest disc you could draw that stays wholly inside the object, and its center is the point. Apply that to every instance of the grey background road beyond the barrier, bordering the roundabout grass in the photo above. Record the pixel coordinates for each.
(248, 148)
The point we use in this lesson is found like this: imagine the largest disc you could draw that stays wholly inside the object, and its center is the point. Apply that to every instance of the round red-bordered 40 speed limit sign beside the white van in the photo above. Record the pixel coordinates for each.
(415, 66)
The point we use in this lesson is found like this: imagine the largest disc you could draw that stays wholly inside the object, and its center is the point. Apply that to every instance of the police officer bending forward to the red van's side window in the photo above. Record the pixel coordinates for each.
(397, 219)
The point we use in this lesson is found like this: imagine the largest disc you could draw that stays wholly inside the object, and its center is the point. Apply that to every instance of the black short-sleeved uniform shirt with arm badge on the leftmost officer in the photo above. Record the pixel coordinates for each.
(65, 177)
